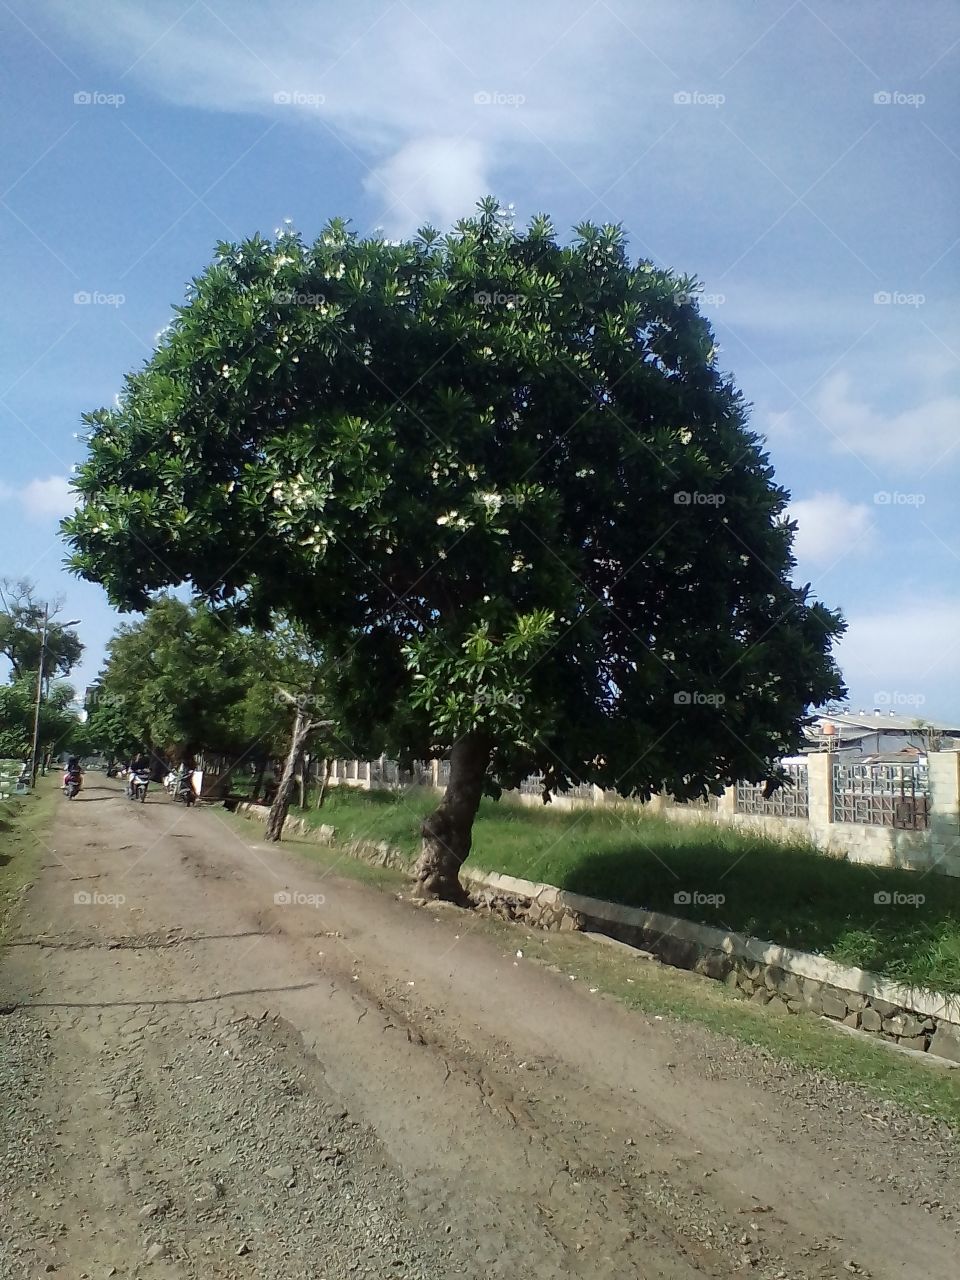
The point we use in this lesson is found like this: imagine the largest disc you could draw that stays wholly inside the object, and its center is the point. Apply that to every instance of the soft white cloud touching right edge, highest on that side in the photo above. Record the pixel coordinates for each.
(916, 438)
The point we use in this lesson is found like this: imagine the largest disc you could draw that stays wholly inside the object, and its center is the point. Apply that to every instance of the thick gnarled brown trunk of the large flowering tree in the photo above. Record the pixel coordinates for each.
(447, 833)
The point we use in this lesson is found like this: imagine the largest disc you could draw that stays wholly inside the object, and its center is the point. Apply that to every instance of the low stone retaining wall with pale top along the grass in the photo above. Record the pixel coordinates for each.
(761, 972)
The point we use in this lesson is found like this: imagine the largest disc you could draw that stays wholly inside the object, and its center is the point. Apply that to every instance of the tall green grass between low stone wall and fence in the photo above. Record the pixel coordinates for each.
(785, 893)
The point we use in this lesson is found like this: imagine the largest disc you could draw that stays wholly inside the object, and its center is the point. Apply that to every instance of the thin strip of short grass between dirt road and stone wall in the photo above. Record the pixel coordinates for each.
(656, 990)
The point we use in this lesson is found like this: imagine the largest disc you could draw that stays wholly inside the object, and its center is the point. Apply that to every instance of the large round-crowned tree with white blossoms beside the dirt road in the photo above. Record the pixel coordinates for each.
(502, 479)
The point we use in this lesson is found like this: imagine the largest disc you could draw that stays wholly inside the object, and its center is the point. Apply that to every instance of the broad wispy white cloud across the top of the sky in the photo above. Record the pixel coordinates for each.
(582, 90)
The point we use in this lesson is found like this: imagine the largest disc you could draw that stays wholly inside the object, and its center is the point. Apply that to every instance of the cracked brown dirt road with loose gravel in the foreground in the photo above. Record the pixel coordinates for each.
(199, 1080)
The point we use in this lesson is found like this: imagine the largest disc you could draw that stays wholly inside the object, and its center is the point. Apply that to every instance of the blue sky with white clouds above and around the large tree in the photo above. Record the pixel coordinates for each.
(801, 158)
